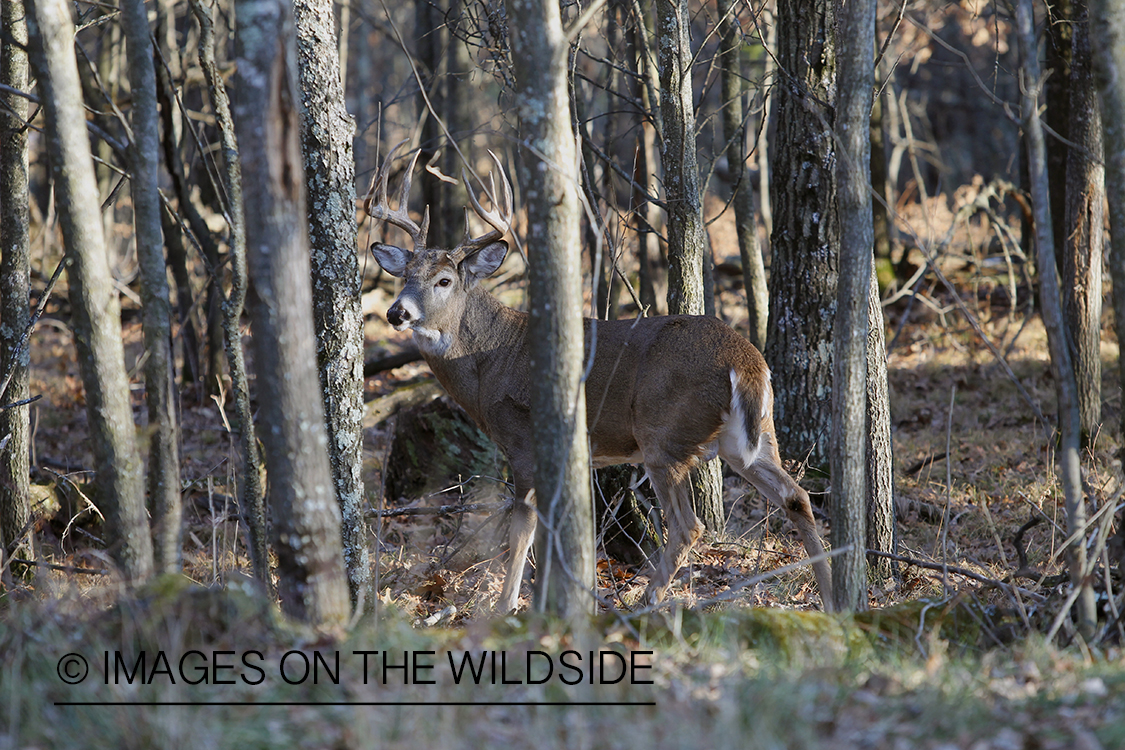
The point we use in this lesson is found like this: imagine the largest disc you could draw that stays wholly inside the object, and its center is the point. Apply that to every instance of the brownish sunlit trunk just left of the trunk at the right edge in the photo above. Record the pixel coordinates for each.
(1084, 222)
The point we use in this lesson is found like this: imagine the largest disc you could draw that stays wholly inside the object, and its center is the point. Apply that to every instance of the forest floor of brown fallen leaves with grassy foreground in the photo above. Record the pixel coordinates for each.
(942, 661)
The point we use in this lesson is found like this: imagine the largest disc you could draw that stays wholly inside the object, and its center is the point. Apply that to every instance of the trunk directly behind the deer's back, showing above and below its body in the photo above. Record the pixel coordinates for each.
(687, 240)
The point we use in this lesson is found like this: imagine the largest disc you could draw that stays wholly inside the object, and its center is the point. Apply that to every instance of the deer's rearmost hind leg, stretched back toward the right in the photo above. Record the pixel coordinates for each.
(763, 469)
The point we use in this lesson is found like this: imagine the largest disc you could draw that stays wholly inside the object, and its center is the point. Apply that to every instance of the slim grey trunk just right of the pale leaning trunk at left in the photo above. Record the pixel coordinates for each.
(157, 309)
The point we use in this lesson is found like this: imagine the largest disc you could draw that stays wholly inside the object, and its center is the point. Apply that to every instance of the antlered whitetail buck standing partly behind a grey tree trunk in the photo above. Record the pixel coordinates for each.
(665, 392)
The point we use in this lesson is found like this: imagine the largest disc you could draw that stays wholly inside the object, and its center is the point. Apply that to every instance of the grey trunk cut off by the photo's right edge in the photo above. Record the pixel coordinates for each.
(1108, 38)
